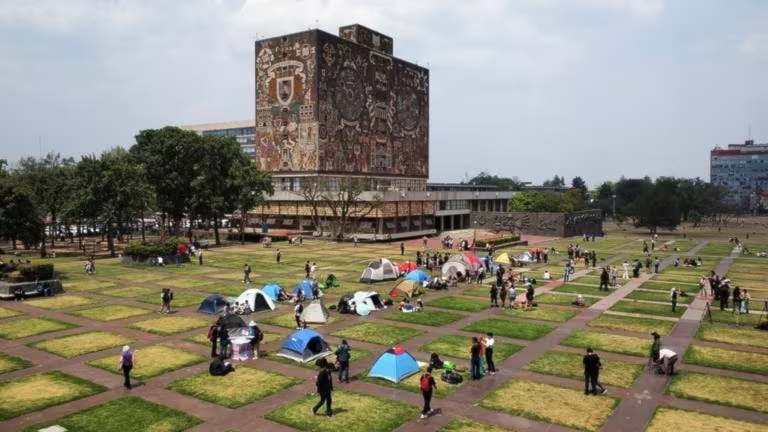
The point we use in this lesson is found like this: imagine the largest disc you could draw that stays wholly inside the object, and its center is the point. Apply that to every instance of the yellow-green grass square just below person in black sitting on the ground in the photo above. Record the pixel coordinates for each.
(244, 386)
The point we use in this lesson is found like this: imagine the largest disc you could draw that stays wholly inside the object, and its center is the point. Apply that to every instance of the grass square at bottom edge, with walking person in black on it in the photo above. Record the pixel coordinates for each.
(348, 406)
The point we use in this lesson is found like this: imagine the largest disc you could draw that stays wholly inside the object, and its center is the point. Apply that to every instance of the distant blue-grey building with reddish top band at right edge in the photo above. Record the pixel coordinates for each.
(743, 170)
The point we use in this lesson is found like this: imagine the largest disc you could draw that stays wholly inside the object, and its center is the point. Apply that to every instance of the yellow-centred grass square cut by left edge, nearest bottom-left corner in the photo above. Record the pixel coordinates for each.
(36, 392)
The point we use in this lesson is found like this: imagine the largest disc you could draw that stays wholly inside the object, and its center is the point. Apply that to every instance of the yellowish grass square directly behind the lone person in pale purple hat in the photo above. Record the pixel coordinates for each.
(151, 361)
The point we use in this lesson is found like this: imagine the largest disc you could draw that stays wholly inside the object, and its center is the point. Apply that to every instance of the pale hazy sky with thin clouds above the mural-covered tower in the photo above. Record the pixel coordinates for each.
(526, 88)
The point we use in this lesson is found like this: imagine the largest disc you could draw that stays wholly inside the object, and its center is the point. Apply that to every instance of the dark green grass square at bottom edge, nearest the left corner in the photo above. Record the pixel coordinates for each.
(128, 414)
